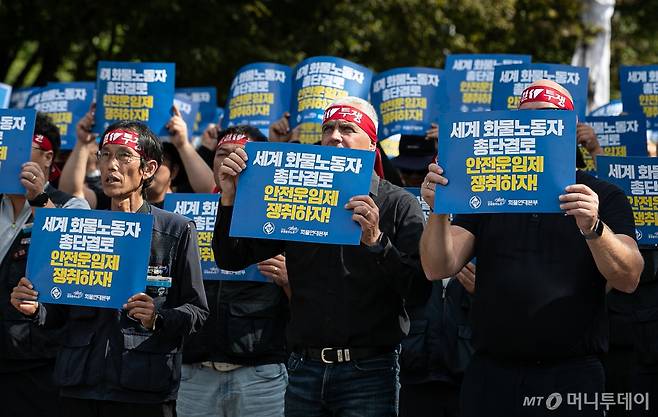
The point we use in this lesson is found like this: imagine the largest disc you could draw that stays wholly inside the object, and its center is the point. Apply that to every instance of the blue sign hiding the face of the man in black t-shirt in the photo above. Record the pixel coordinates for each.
(506, 161)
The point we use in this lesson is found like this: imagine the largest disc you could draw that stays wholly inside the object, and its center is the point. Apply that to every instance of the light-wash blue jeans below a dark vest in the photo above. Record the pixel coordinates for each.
(254, 391)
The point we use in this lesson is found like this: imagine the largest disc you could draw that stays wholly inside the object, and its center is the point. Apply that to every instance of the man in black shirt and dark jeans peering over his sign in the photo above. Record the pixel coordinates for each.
(347, 308)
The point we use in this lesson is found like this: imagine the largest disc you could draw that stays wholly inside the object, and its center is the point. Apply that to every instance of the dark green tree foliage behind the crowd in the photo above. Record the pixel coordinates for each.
(210, 39)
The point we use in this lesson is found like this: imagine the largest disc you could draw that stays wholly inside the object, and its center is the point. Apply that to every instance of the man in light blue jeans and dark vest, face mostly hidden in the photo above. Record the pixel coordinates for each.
(242, 345)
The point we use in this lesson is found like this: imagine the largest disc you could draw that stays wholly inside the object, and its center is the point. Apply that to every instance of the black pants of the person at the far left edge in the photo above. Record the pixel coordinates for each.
(29, 393)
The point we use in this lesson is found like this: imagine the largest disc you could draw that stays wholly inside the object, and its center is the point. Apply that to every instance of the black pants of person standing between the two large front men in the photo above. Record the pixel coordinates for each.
(431, 399)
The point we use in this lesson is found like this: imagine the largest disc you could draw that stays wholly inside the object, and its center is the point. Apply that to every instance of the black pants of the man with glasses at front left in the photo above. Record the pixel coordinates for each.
(75, 407)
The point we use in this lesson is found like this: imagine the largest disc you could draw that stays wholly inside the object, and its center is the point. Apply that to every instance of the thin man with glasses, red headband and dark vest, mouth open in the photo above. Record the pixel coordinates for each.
(127, 362)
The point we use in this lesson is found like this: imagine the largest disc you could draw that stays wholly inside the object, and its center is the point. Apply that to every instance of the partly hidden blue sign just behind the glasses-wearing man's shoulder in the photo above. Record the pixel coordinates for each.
(202, 209)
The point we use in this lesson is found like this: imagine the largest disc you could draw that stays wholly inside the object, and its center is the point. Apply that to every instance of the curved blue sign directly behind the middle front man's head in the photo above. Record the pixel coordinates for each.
(317, 82)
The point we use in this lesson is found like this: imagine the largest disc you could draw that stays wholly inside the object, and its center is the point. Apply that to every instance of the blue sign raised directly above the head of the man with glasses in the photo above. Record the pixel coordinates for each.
(135, 91)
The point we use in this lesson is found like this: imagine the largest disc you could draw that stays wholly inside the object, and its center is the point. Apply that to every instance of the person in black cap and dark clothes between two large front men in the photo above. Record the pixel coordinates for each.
(437, 349)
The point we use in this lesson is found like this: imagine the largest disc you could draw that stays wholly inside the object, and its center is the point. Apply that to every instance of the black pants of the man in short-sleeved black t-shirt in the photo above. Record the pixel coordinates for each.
(494, 388)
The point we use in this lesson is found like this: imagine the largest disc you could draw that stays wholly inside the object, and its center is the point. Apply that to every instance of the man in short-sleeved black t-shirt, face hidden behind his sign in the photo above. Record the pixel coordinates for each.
(538, 315)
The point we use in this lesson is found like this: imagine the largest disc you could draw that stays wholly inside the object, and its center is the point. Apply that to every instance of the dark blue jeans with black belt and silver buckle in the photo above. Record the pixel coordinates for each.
(360, 388)
